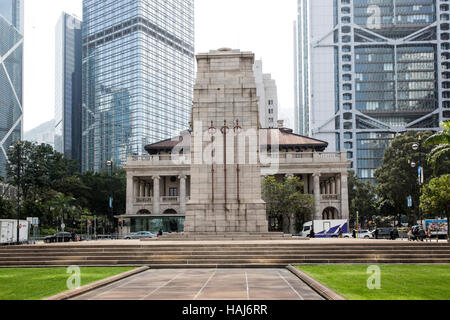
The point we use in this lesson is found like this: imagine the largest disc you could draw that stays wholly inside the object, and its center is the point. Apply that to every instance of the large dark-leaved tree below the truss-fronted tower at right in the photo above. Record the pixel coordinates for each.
(397, 179)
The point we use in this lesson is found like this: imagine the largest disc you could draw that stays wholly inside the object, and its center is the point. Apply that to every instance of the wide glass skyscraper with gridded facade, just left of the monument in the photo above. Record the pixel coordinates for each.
(138, 76)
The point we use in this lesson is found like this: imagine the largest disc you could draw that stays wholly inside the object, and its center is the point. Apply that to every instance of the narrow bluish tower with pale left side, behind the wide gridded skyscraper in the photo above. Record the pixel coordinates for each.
(68, 87)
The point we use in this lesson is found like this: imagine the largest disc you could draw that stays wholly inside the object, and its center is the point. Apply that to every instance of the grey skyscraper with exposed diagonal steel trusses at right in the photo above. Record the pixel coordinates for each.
(376, 69)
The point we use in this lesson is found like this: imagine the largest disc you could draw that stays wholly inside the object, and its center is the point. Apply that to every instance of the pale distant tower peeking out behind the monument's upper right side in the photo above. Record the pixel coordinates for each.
(268, 96)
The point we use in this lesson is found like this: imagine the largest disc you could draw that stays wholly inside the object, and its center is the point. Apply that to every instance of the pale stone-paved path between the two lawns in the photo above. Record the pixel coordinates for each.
(207, 284)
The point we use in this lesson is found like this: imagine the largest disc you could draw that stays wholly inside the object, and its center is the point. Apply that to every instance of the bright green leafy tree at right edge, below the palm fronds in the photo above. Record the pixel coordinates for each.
(435, 197)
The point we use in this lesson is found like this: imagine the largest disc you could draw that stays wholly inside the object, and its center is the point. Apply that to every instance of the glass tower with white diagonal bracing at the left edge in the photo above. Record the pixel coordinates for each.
(11, 76)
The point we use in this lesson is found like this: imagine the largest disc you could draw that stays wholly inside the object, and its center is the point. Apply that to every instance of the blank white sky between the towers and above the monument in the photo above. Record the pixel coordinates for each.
(264, 27)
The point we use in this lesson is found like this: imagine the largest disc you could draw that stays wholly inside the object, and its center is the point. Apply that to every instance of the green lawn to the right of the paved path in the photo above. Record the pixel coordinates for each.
(398, 282)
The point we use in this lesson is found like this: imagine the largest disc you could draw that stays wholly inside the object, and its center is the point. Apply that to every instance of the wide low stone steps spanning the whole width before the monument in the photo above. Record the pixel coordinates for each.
(222, 255)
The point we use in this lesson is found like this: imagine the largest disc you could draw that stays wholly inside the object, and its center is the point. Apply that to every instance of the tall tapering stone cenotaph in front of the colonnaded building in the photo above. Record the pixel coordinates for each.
(225, 168)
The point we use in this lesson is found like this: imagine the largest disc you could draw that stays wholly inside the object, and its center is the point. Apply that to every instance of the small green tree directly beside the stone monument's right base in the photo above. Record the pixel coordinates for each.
(286, 201)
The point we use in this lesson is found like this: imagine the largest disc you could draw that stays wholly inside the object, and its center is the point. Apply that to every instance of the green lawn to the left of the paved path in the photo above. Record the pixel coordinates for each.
(36, 284)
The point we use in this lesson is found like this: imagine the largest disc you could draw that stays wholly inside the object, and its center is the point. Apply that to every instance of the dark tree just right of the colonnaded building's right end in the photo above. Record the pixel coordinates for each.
(362, 198)
